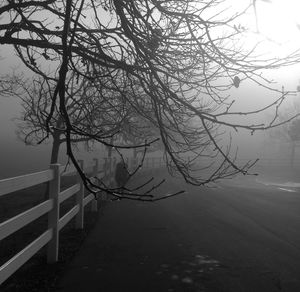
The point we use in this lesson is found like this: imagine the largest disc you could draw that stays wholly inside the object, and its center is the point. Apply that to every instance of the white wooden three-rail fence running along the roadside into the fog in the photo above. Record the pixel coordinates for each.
(51, 207)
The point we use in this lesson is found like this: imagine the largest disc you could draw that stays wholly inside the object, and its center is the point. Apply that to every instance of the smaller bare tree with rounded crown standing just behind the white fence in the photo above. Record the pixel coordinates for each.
(87, 106)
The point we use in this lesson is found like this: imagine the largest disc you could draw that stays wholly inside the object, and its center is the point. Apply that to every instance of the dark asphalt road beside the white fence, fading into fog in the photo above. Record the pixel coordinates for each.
(242, 235)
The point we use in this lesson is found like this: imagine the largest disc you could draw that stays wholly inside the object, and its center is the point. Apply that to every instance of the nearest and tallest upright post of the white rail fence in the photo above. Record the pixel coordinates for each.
(53, 215)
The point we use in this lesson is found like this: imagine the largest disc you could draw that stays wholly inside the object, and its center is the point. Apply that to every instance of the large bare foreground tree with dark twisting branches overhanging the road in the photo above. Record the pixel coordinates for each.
(180, 56)
